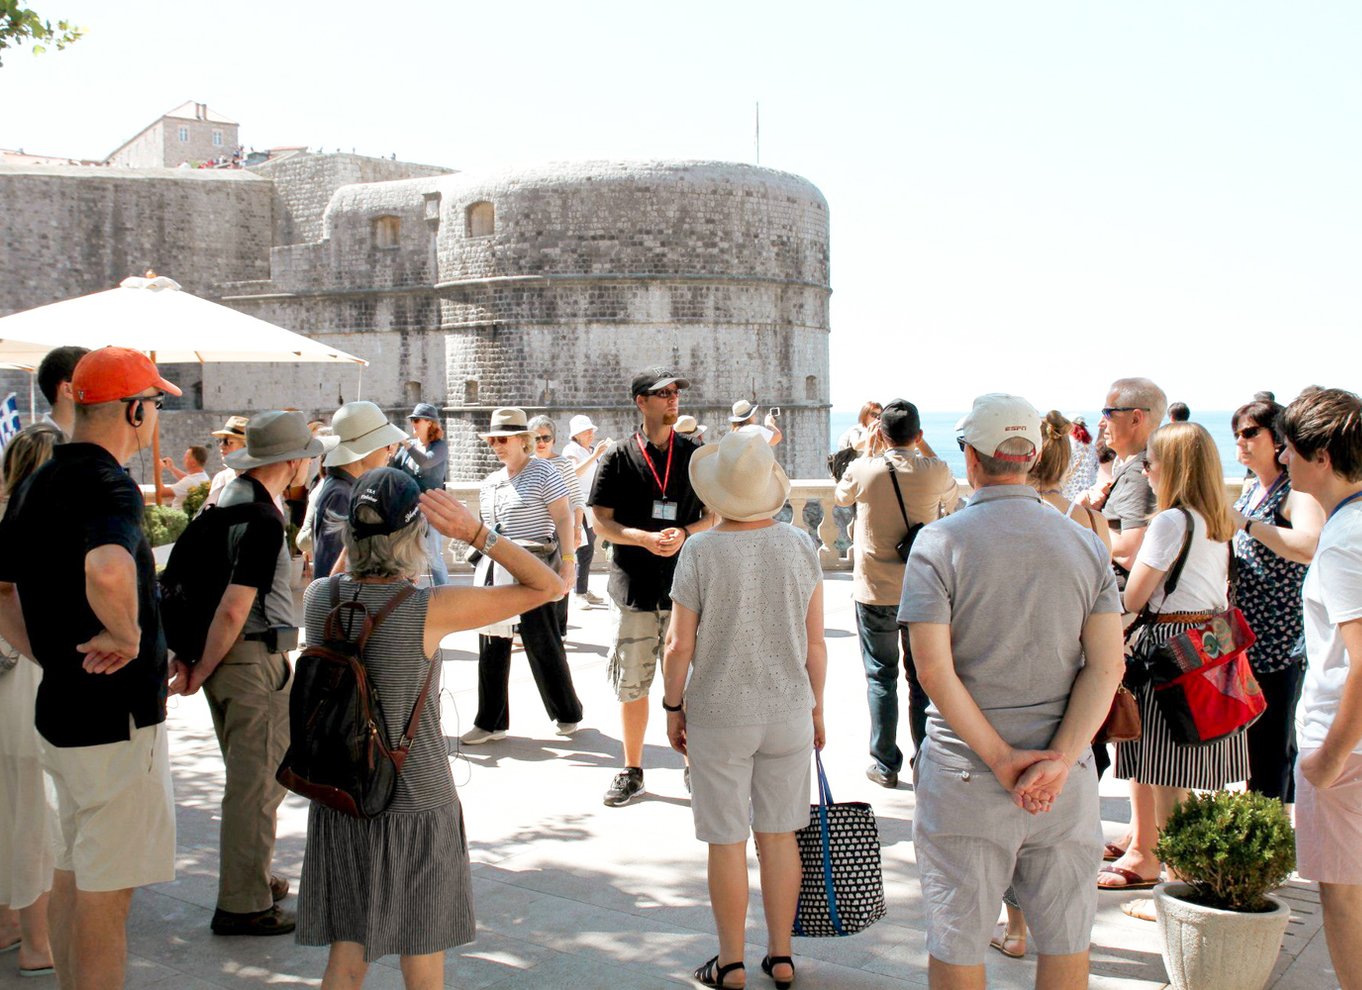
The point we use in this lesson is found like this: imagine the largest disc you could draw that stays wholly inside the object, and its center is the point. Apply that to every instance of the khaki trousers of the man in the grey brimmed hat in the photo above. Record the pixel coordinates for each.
(249, 699)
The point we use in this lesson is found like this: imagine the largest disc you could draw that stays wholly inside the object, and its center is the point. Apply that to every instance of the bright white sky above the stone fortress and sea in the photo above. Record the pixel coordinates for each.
(1029, 197)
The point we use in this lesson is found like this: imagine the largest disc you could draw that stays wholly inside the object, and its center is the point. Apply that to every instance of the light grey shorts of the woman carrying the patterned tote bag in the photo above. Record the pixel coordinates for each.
(758, 774)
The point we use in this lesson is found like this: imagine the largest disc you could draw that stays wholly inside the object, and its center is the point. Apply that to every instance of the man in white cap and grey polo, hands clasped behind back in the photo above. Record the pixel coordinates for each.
(1014, 620)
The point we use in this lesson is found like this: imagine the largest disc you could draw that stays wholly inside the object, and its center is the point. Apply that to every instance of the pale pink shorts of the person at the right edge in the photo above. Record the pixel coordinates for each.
(1329, 826)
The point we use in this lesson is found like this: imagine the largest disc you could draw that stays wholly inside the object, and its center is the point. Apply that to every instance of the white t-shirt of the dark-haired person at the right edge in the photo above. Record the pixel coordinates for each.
(1331, 596)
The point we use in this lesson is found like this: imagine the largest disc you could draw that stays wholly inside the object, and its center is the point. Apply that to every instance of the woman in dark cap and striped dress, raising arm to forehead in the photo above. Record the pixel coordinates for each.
(398, 884)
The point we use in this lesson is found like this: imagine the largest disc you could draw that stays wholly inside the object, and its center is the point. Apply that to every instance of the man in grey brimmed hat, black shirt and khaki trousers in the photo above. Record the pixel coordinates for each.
(246, 672)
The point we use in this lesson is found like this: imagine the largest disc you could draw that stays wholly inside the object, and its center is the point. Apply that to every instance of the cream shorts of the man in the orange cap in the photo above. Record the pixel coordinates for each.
(116, 811)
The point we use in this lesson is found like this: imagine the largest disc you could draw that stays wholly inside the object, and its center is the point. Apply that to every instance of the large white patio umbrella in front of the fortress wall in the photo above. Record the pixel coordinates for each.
(156, 317)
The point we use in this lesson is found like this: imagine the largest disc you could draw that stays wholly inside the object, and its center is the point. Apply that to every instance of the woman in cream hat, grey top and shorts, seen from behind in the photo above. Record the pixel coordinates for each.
(747, 626)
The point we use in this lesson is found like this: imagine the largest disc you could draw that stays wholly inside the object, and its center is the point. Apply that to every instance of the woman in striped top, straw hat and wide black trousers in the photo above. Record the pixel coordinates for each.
(525, 502)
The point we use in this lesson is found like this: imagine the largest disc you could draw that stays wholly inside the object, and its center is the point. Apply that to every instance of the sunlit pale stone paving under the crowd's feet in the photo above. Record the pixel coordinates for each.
(574, 895)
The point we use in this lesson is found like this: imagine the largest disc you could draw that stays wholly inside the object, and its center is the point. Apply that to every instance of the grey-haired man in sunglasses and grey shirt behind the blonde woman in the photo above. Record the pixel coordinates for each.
(1133, 412)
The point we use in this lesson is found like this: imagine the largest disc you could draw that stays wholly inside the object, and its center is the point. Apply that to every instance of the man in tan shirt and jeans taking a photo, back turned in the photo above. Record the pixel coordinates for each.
(897, 485)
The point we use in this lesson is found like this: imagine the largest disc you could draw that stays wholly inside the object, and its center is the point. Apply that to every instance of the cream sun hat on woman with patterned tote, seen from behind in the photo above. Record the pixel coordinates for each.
(739, 479)
